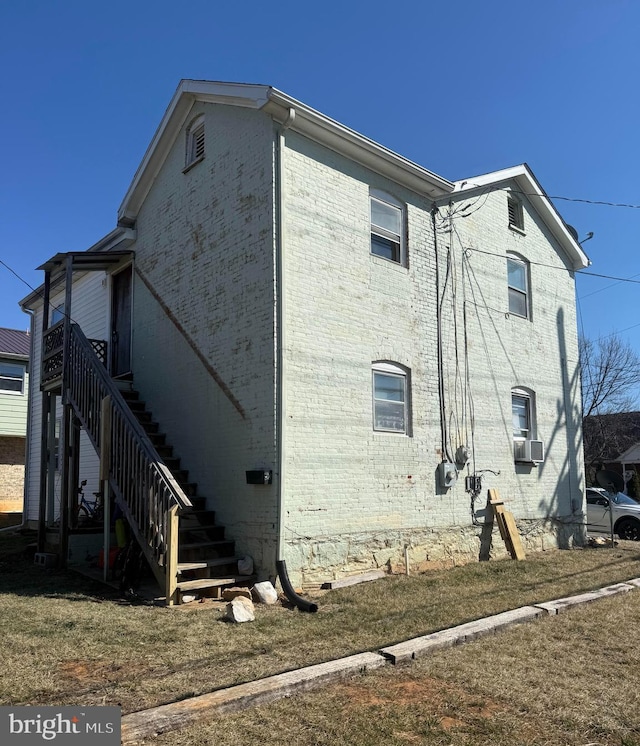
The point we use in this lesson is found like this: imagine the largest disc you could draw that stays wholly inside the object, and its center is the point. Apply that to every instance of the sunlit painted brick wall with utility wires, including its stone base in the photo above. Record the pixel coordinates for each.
(355, 497)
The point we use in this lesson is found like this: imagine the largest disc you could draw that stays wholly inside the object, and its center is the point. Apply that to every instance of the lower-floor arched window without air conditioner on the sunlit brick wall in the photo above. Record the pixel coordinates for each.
(390, 398)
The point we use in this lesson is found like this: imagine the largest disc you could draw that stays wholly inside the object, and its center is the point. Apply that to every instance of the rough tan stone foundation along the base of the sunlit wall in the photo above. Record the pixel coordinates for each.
(314, 561)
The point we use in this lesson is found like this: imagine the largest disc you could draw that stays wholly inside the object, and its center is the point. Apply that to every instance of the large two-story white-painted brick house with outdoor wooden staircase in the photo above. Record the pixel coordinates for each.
(341, 348)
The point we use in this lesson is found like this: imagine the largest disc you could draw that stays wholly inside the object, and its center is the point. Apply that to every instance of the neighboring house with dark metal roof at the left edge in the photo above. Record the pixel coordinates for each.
(14, 379)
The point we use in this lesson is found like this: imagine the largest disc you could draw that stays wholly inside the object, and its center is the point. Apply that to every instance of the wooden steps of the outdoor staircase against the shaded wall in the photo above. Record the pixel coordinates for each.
(206, 559)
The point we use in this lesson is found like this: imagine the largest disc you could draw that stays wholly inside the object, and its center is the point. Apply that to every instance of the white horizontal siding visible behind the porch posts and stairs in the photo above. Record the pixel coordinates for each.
(89, 309)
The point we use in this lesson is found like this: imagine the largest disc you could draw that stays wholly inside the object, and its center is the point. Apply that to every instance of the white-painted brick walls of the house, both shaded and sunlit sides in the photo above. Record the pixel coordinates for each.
(354, 498)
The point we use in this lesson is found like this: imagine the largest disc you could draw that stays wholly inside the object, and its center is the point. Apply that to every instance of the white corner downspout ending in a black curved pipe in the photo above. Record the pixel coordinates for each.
(281, 566)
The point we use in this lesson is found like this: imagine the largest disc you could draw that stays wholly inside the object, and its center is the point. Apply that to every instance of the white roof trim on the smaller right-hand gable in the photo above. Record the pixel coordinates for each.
(531, 188)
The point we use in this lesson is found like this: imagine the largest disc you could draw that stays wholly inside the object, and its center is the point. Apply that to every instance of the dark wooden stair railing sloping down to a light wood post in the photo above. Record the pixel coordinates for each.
(144, 488)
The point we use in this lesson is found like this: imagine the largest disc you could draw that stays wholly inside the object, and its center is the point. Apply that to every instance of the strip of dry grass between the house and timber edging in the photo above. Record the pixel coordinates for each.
(68, 640)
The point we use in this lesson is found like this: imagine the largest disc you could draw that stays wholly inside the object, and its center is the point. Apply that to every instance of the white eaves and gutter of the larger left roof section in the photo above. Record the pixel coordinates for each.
(285, 110)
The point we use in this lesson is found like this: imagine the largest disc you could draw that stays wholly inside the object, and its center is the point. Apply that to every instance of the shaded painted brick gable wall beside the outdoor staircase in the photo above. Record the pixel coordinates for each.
(203, 280)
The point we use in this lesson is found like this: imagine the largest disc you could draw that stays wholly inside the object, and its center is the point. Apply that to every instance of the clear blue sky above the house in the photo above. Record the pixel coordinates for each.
(462, 88)
